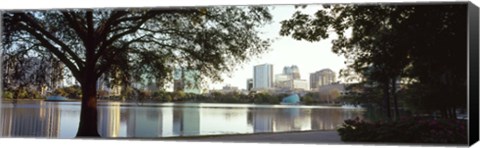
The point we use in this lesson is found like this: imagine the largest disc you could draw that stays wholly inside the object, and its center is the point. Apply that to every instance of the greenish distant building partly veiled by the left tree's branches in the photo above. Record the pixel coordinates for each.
(186, 81)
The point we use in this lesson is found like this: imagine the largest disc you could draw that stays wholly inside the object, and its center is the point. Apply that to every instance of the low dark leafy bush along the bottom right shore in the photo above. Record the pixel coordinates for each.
(411, 130)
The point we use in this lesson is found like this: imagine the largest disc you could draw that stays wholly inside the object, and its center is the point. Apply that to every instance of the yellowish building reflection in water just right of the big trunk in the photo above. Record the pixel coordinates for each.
(109, 120)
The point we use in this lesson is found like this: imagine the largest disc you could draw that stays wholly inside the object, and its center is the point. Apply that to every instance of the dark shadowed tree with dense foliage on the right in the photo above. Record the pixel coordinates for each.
(389, 42)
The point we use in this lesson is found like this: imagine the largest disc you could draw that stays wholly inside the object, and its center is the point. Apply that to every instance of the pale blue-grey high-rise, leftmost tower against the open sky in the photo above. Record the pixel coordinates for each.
(263, 76)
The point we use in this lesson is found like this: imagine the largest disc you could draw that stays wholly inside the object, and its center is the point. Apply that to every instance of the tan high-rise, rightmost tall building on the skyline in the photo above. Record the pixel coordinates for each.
(321, 78)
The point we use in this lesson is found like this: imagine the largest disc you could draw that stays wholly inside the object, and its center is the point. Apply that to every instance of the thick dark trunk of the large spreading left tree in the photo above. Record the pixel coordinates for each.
(88, 116)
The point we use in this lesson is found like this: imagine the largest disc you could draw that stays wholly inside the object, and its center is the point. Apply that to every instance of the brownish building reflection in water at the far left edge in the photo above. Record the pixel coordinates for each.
(23, 121)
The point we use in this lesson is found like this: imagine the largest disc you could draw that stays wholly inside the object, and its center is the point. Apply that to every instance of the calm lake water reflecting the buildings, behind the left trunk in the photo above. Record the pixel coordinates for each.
(60, 119)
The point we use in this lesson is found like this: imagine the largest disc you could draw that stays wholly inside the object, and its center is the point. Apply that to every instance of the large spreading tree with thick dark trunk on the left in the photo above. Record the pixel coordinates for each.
(139, 43)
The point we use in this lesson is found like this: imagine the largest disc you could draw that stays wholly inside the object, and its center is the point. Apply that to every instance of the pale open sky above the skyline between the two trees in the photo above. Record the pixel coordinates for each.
(286, 51)
